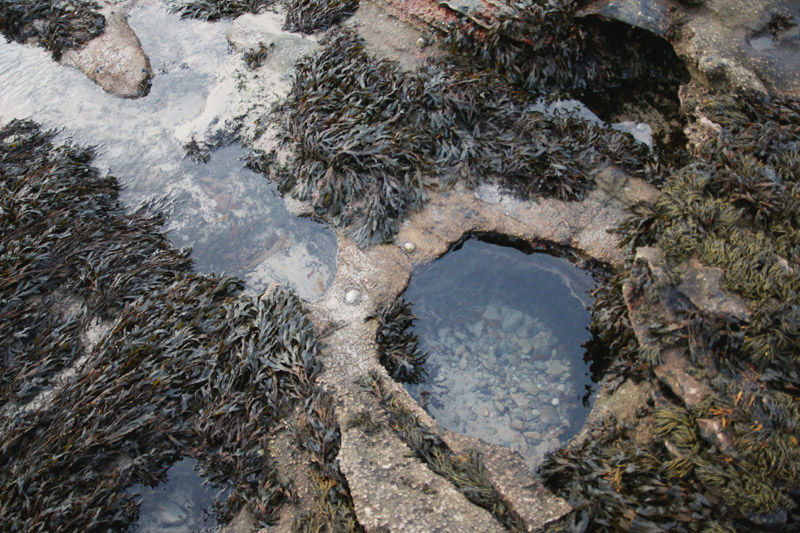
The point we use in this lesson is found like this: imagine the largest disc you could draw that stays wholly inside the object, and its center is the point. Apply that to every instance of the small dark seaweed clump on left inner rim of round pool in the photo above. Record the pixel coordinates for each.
(398, 347)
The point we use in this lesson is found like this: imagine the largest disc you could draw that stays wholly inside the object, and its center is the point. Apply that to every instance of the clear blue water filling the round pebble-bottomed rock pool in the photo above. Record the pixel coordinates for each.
(504, 332)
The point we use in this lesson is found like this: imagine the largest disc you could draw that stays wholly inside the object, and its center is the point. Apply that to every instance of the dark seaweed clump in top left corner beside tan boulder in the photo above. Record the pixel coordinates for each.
(56, 25)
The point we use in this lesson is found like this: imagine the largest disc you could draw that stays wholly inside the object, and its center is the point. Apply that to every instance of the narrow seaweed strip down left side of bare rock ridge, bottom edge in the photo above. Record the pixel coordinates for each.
(320, 435)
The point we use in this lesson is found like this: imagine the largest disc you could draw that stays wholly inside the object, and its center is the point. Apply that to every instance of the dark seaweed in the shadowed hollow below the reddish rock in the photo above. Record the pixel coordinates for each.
(544, 47)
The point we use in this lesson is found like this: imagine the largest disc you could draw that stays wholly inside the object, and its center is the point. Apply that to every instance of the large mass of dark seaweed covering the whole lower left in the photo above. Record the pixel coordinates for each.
(190, 366)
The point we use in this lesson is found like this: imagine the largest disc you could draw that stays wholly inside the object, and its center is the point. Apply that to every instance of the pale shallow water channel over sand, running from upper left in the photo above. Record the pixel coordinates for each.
(233, 219)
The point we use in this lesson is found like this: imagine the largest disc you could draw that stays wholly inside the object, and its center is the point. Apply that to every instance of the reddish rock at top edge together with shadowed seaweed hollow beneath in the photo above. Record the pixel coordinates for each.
(624, 71)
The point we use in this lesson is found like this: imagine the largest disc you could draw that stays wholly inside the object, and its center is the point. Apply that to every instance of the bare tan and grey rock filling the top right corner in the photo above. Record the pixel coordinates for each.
(728, 45)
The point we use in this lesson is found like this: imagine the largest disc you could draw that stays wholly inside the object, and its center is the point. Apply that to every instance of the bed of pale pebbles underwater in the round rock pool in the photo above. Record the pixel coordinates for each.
(519, 382)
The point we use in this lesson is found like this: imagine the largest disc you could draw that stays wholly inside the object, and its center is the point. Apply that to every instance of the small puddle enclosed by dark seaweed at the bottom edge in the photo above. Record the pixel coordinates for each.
(180, 504)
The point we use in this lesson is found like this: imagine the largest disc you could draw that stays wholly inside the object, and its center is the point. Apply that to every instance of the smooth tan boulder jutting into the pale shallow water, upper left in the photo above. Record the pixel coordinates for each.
(114, 60)
